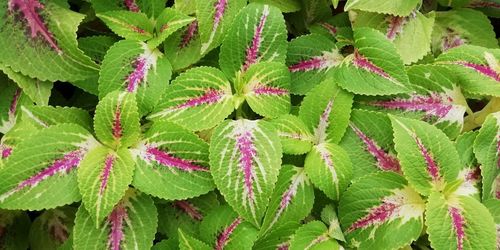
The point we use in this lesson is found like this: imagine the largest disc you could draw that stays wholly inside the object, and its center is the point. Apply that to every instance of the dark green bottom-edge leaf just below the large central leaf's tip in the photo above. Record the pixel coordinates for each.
(224, 229)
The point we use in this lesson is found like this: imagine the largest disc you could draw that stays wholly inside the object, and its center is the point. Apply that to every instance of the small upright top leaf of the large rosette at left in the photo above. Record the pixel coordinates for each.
(116, 120)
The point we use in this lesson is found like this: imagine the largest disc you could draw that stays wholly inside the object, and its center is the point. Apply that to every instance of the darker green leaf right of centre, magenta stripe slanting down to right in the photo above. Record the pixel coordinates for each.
(368, 141)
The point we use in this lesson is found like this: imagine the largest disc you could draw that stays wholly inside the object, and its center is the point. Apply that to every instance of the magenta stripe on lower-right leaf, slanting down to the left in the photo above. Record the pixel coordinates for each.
(376, 216)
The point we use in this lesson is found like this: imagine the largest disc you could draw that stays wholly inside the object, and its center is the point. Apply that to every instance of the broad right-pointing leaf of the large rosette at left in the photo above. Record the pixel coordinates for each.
(172, 163)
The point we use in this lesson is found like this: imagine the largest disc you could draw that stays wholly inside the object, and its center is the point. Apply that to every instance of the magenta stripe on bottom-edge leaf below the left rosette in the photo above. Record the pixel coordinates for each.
(116, 220)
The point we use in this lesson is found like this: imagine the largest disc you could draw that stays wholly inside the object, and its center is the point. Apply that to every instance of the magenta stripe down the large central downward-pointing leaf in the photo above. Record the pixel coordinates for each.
(248, 152)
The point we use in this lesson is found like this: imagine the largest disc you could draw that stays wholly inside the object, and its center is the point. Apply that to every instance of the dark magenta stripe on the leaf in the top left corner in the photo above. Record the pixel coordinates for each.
(29, 10)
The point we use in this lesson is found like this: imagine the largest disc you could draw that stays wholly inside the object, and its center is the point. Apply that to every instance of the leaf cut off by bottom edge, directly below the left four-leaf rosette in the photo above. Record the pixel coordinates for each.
(131, 225)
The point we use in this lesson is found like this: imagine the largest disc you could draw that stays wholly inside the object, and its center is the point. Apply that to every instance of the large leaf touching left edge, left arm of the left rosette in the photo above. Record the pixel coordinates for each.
(40, 173)
